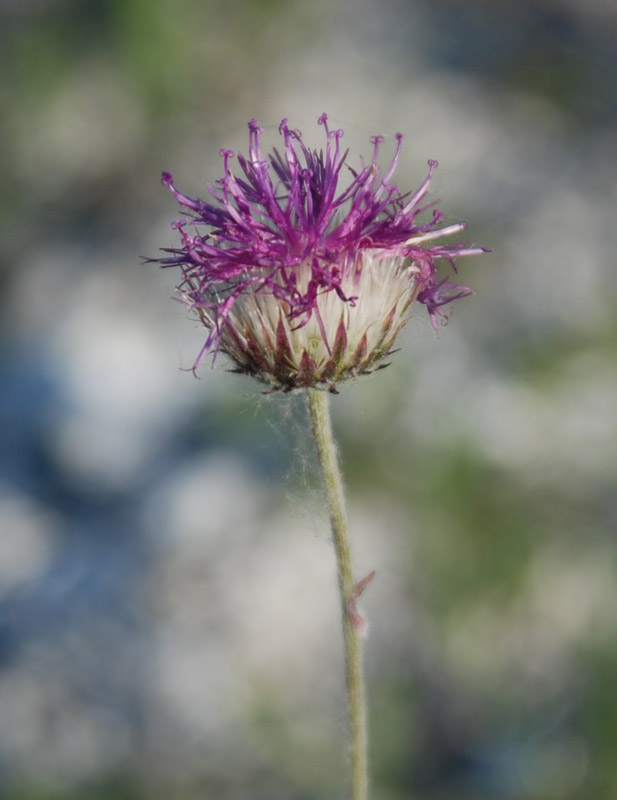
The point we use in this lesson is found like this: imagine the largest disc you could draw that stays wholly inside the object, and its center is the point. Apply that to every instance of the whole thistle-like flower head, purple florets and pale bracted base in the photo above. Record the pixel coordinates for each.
(302, 277)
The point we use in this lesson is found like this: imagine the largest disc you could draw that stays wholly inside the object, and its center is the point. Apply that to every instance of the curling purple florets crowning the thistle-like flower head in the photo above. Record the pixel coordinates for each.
(284, 226)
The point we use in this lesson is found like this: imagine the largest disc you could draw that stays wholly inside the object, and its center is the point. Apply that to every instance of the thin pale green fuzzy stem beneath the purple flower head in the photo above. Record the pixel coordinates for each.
(326, 449)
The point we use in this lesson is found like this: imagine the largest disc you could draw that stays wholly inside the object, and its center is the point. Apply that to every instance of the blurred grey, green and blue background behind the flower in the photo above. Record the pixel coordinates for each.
(168, 618)
